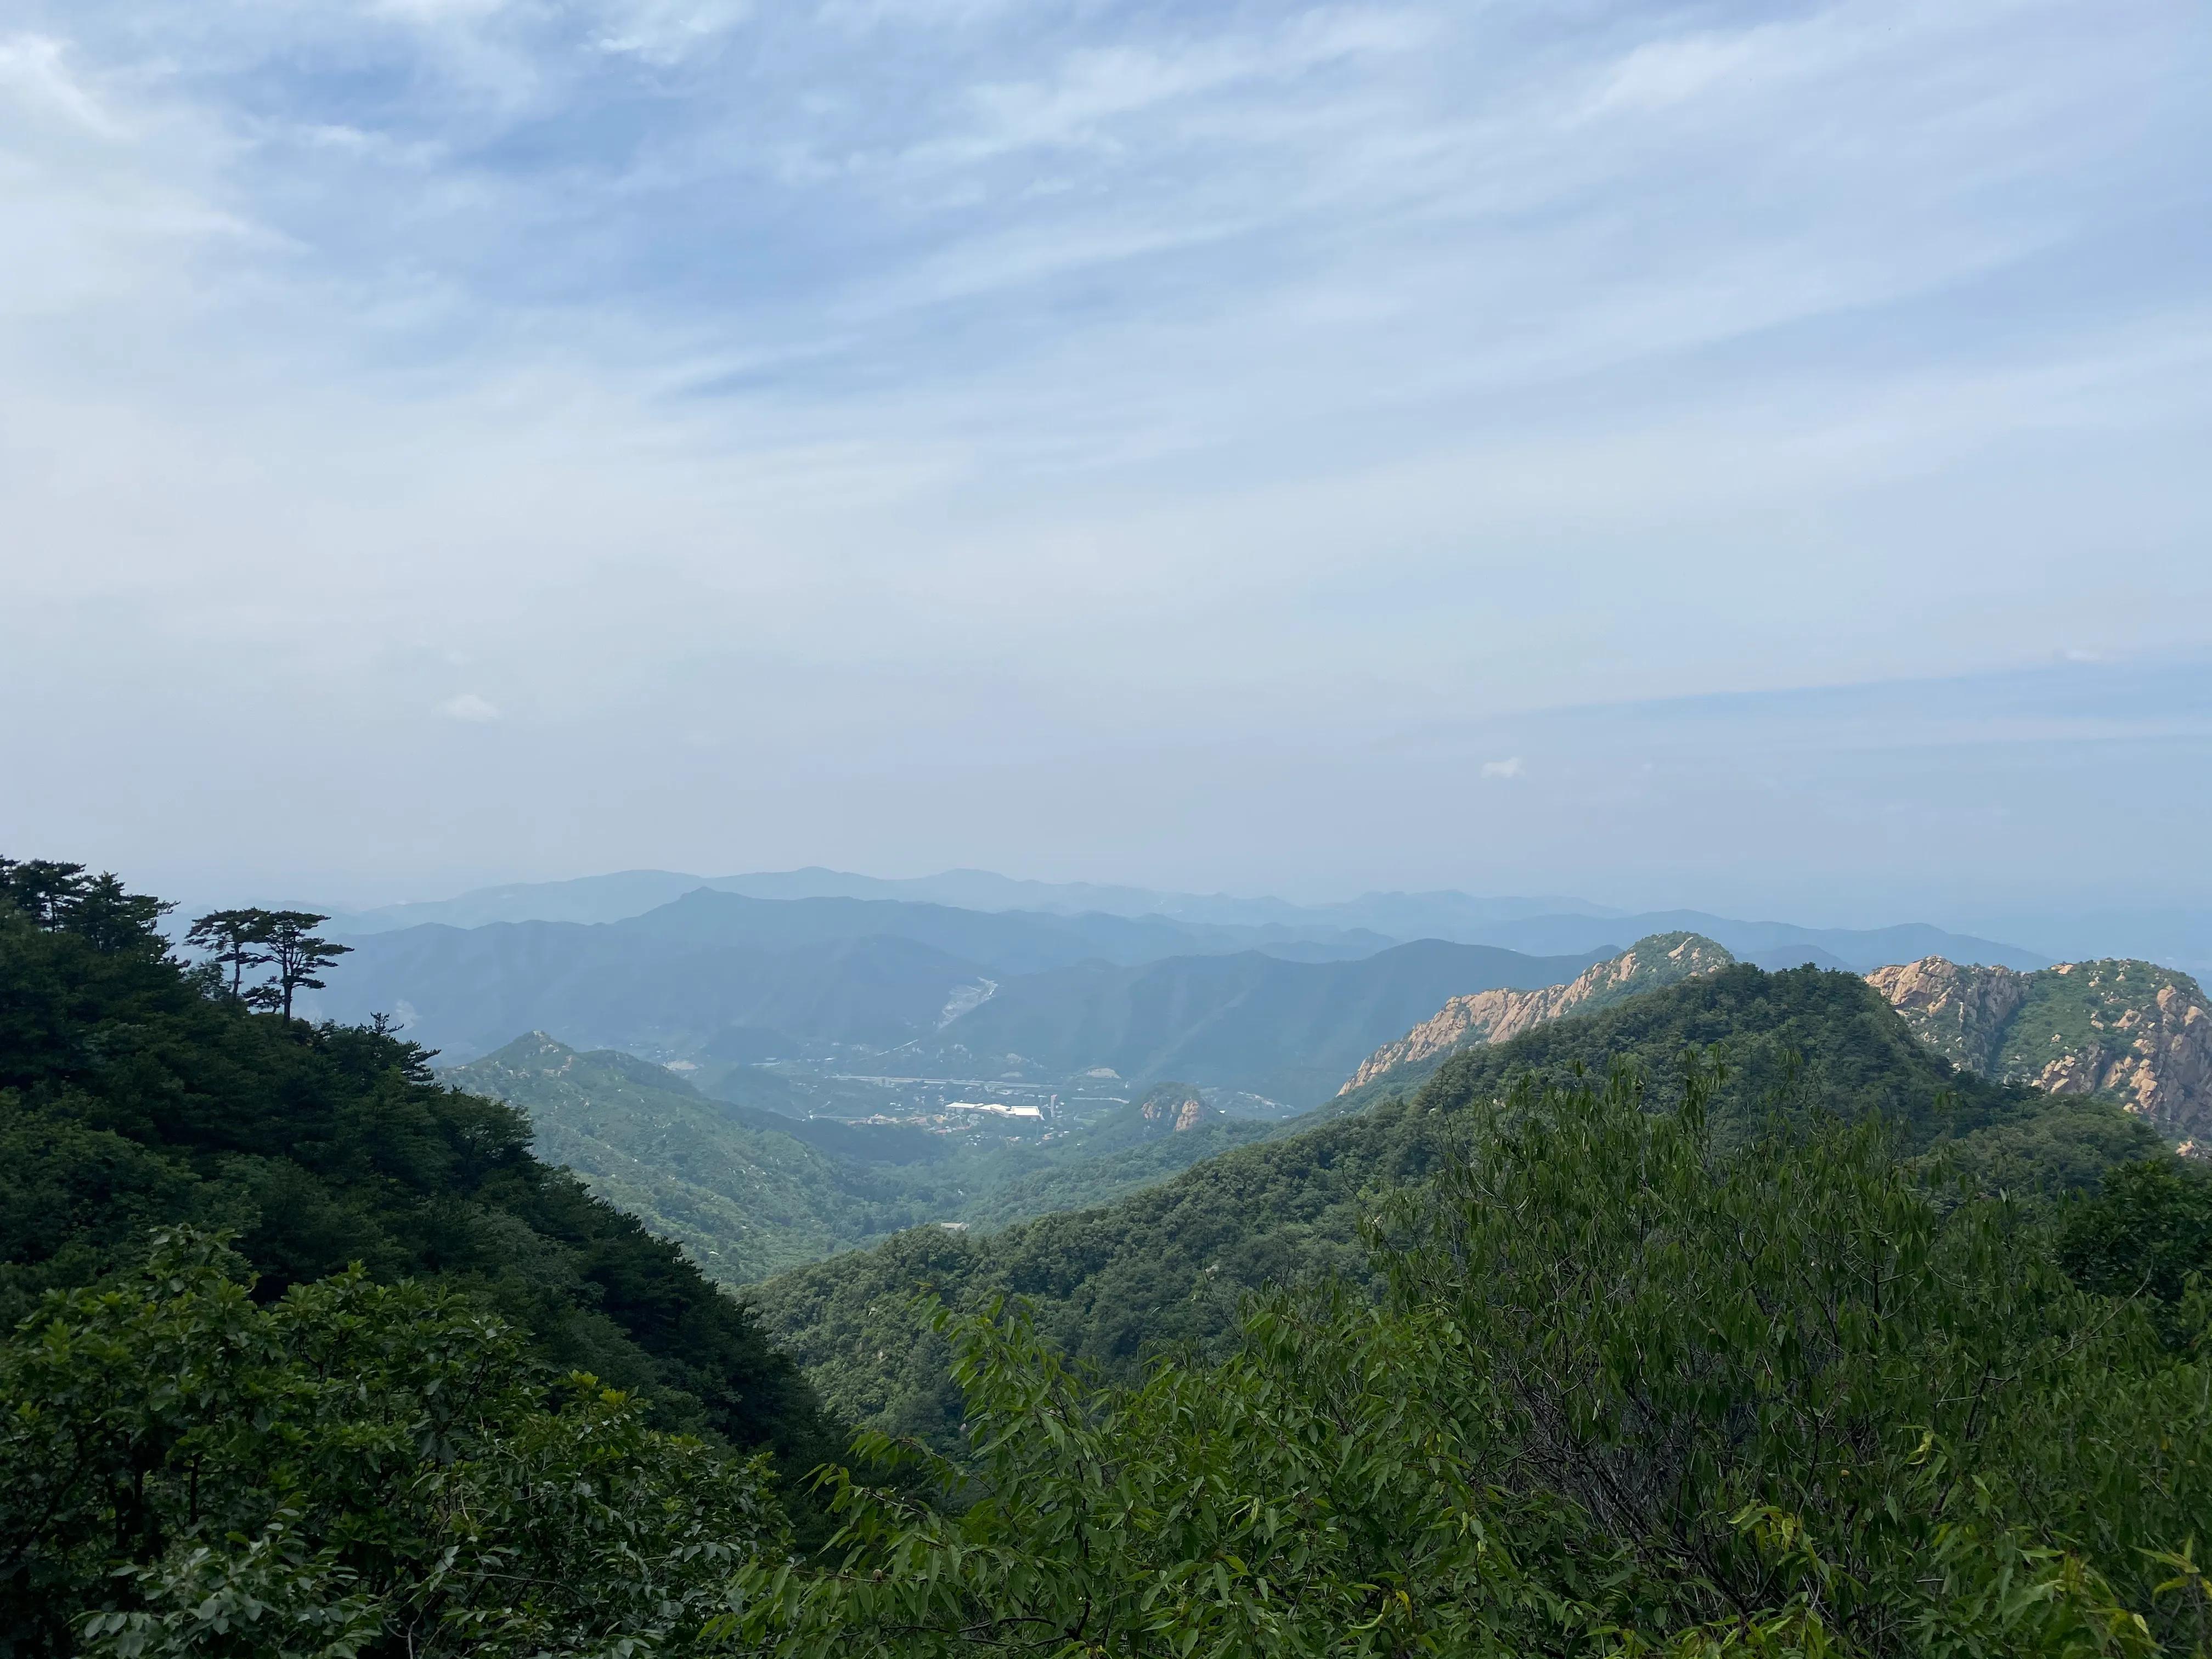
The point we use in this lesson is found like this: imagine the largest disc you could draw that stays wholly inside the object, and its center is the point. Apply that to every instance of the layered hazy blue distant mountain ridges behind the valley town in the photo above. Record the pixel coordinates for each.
(1266, 999)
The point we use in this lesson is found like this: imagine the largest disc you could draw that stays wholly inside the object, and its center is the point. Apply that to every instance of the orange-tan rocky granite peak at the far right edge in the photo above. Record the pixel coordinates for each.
(2129, 1030)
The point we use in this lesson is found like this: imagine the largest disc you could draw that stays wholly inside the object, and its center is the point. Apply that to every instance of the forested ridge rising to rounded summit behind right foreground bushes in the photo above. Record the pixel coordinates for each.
(1171, 1264)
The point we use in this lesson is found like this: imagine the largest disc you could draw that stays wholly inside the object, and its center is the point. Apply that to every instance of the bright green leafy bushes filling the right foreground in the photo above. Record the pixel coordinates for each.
(1627, 1392)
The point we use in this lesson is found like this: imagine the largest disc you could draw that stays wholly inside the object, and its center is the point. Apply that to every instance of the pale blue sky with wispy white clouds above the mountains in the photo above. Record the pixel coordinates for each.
(1731, 457)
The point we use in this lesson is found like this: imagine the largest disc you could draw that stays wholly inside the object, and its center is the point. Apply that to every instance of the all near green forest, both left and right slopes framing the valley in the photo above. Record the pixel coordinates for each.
(1808, 1346)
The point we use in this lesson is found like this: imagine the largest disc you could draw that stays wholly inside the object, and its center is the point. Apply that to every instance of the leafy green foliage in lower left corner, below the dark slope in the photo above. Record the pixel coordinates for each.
(351, 1470)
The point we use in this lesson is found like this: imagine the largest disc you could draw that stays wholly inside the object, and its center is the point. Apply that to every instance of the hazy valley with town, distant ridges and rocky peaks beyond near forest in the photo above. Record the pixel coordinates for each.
(780, 1081)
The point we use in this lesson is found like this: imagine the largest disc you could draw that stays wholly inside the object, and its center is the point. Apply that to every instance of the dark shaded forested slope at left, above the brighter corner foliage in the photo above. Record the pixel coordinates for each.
(136, 1094)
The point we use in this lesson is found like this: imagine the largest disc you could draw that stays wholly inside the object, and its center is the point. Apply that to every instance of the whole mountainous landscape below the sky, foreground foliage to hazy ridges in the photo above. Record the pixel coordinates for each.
(589, 1315)
